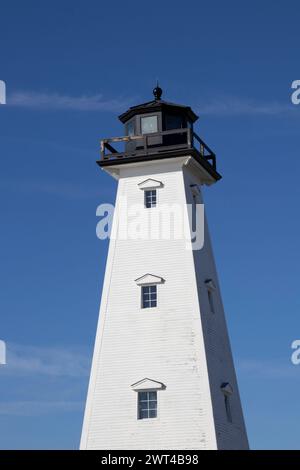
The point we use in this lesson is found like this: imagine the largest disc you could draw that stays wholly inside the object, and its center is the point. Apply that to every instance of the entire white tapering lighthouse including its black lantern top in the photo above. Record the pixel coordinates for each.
(162, 373)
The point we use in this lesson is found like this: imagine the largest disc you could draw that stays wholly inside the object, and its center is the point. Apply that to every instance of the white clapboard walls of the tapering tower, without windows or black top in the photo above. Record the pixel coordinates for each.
(180, 343)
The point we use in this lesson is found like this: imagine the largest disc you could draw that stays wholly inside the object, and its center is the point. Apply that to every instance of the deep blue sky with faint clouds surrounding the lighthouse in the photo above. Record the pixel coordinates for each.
(70, 69)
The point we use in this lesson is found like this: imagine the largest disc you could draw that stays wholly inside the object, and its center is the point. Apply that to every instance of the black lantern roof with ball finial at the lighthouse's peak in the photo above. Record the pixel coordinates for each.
(158, 105)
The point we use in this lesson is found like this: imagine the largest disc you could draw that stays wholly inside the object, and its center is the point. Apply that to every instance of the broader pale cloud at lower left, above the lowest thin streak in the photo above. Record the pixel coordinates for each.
(50, 361)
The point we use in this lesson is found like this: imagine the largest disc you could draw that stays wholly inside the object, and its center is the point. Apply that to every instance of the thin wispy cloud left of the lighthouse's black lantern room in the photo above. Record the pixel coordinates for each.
(56, 101)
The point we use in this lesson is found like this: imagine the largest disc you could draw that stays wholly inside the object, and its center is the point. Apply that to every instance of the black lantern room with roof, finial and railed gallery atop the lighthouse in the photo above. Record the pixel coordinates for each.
(158, 129)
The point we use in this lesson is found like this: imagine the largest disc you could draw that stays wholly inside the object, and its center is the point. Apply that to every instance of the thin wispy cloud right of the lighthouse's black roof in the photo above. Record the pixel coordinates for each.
(233, 106)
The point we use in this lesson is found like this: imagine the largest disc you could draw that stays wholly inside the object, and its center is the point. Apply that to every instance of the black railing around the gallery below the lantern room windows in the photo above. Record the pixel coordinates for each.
(149, 144)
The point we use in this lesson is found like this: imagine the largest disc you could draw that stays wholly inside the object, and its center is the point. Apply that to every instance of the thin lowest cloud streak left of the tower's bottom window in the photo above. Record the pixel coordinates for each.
(37, 408)
